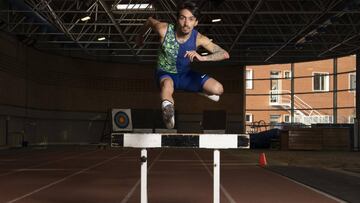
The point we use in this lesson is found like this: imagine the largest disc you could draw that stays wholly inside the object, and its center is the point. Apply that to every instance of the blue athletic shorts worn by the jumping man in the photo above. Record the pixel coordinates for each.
(189, 81)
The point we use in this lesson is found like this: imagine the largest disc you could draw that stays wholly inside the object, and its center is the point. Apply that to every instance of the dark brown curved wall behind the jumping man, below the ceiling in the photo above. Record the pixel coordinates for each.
(33, 81)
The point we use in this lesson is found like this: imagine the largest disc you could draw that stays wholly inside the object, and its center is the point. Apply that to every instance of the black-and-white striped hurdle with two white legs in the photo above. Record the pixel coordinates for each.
(205, 141)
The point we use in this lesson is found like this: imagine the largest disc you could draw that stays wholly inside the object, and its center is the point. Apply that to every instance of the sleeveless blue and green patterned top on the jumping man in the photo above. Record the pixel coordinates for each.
(171, 54)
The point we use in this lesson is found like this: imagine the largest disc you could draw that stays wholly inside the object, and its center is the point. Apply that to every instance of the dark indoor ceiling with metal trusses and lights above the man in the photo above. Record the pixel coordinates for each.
(252, 31)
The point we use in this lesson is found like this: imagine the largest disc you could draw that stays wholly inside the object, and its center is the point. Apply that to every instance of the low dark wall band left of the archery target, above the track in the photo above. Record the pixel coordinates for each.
(39, 127)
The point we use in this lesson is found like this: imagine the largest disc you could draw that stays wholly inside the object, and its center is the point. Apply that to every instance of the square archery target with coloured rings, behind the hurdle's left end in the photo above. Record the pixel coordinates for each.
(121, 120)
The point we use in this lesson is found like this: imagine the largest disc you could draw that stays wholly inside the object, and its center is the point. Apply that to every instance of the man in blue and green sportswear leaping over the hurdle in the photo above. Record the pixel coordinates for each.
(178, 49)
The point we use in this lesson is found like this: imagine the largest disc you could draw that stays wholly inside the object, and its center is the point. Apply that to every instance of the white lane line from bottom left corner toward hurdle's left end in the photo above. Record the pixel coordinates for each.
(63, 179)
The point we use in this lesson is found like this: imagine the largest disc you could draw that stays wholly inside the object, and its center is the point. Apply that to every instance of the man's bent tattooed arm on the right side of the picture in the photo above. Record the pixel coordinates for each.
(217, 53)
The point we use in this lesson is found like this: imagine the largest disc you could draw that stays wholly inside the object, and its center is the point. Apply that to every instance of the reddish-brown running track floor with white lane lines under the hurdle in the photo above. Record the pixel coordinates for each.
(175, 176)
